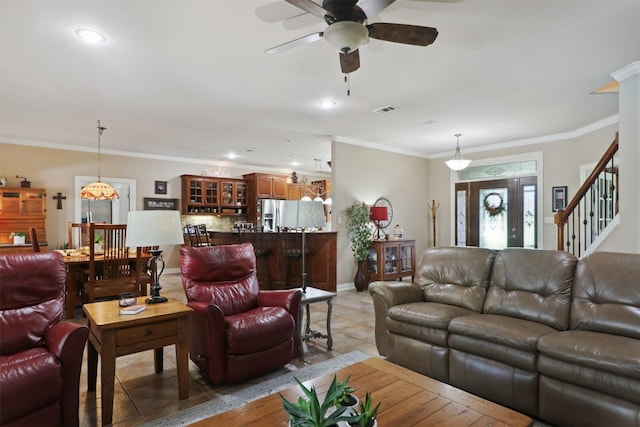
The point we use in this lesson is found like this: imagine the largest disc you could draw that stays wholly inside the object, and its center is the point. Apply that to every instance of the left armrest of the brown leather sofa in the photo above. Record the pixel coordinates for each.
(386, 295)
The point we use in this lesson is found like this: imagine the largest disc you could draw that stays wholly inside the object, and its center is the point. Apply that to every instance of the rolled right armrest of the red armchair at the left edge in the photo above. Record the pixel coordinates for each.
(67, 340)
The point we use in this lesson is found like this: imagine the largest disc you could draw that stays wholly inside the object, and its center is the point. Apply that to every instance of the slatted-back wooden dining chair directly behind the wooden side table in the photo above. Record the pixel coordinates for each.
(111, 272)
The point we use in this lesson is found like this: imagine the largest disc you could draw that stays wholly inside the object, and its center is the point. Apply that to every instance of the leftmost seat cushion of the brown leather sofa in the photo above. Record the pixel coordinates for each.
(424, 321)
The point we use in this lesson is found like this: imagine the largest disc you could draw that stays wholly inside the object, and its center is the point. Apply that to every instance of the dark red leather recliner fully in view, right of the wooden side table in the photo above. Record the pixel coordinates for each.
(237, 331)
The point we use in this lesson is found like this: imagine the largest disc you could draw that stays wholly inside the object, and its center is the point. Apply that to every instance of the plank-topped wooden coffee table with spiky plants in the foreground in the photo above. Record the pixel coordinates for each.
(408, 399)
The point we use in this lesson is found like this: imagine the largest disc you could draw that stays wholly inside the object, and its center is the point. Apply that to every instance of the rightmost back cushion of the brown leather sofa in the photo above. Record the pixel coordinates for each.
(606, 295)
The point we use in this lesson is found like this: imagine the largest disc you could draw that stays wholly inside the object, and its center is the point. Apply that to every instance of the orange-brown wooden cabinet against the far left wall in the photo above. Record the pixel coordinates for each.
(20, 210)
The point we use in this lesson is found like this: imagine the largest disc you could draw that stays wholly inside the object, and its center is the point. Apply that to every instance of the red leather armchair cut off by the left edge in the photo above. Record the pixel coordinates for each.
(40, 356)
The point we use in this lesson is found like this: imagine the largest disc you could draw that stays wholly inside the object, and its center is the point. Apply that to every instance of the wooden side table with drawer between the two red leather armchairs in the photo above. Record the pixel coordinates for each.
(112, 334)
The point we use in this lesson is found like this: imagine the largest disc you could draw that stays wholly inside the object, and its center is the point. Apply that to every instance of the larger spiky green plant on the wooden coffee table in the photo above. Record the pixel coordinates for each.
(309, 412)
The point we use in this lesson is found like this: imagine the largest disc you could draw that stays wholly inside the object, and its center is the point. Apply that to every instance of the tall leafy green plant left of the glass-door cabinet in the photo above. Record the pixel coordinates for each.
(360, 234)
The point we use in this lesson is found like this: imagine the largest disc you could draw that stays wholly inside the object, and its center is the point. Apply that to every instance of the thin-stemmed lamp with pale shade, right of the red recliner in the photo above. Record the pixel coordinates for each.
(303, 214)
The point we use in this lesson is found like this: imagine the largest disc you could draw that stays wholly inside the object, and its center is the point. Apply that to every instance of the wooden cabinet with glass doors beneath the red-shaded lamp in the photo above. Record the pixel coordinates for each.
(391, 259)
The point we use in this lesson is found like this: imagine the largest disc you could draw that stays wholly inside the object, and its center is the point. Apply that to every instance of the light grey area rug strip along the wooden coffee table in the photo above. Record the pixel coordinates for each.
(265, 388)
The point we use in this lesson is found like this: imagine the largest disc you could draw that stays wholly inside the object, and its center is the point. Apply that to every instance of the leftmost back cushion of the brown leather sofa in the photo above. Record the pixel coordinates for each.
(456, 276)
